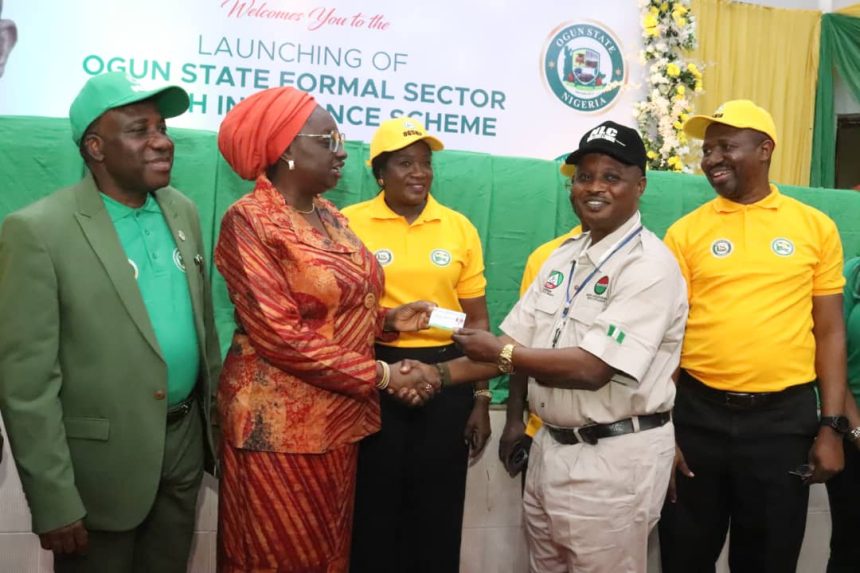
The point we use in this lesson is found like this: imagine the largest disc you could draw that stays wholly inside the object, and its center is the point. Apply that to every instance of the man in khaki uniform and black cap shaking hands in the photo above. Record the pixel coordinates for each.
(599, 334)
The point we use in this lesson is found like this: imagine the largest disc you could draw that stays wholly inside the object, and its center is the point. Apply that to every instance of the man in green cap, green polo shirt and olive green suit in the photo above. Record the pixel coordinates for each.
(108, 347)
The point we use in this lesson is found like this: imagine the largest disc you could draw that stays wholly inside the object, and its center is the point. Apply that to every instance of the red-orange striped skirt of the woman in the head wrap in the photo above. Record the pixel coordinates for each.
(286, 513)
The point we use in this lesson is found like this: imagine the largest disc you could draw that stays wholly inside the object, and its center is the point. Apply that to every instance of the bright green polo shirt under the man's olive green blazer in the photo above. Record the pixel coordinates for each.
(160, 273)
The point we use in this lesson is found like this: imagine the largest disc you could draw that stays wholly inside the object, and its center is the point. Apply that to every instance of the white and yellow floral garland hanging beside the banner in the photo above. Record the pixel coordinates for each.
(668, 32)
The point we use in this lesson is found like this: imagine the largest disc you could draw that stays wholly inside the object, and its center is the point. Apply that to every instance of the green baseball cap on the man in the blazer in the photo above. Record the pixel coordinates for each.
(116, 89)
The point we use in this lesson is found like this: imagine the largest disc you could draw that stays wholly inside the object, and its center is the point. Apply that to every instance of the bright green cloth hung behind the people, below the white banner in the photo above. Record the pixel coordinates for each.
(515, 203)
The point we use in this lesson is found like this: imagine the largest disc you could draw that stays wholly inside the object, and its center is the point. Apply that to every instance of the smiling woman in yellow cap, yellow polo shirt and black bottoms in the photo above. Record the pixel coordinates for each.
(412, 474)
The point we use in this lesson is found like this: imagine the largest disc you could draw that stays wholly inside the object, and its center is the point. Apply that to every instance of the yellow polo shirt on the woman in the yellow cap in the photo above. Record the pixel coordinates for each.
(437, 258)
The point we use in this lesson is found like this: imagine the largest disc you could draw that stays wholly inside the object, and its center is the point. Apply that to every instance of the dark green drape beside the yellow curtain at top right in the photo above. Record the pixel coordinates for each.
(839, 52)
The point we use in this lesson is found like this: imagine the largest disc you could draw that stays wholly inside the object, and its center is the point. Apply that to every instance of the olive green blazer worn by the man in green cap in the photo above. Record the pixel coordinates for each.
(82, 379)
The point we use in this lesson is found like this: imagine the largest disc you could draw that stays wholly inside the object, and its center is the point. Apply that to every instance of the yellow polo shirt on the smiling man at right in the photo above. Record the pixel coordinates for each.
(751, 273)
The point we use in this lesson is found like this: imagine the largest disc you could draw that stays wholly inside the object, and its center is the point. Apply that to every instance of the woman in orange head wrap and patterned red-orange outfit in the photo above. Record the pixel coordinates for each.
(299, 386)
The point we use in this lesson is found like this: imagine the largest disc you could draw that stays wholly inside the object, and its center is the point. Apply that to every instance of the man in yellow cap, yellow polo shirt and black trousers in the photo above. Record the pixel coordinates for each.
(764, 280)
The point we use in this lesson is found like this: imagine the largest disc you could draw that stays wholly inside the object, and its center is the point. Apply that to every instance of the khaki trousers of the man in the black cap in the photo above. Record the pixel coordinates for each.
(590, 508)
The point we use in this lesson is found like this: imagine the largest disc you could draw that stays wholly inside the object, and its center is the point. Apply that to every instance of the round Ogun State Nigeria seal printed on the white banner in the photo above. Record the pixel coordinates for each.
(583, 66)
